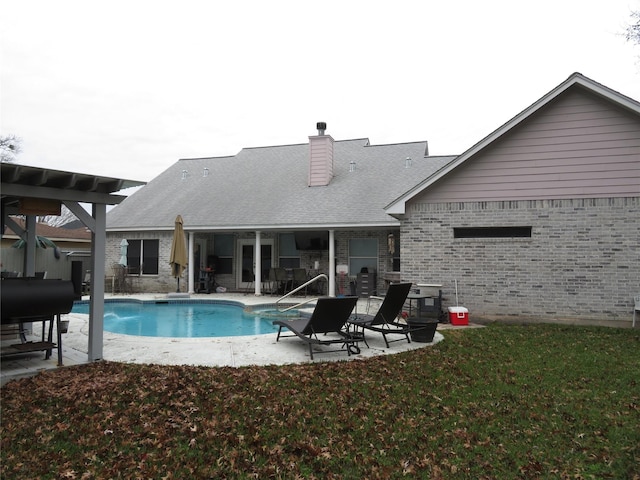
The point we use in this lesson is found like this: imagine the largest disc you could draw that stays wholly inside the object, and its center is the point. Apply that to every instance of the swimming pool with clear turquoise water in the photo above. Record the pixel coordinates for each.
(185, 319)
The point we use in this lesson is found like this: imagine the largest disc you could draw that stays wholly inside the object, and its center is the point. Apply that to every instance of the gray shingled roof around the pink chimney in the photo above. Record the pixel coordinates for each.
(267, 188)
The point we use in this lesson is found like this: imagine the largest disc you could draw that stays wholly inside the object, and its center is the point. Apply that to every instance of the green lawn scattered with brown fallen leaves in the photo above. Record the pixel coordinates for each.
(539, 401)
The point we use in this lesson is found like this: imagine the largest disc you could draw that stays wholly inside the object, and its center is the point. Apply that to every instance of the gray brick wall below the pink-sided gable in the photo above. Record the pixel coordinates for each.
(582, 262)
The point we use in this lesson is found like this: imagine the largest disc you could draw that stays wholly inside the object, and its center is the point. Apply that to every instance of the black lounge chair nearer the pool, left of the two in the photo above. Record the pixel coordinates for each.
(329, 317)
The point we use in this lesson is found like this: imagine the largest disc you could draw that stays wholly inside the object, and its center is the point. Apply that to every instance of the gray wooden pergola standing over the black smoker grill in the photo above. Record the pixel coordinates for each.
(32, 191)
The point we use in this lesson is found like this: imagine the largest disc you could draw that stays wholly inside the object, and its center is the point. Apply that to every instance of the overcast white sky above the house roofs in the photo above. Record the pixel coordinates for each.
(126, 88)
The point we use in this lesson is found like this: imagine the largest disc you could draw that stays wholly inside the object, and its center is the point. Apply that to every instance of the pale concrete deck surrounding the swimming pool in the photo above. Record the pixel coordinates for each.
(221, 351)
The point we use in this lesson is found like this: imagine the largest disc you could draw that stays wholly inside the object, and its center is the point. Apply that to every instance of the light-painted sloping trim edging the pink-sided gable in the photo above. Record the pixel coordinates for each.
(576, 80)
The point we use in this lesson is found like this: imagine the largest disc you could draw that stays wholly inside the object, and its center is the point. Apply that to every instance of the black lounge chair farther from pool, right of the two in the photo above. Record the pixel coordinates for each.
(385, 321)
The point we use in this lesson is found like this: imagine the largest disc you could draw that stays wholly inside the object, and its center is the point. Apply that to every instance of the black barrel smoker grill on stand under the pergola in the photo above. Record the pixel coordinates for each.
(26, 300)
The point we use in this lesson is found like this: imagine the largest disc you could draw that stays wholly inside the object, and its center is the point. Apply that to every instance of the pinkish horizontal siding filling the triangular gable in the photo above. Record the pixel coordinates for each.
(577, 147)
